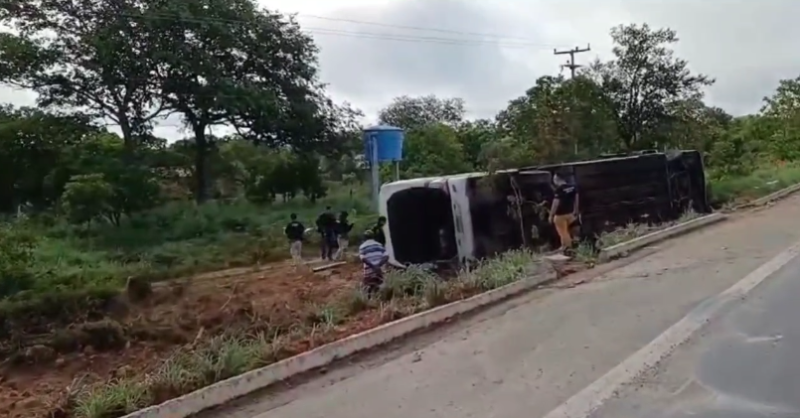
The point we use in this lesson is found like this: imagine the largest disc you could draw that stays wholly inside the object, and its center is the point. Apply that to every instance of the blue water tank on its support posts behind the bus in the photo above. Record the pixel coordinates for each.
(382, 143)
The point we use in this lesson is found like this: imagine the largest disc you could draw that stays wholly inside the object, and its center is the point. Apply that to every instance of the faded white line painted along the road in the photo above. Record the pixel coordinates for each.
(588, 400)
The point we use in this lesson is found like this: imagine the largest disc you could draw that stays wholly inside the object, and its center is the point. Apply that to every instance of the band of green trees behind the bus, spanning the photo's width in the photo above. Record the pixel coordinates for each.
(124, 65)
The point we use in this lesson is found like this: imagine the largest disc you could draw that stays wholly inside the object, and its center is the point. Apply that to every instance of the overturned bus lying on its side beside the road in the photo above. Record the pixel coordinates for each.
(464, 217)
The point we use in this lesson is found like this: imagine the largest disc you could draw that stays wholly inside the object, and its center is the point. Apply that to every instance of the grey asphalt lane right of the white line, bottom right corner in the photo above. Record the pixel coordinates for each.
(744, 364)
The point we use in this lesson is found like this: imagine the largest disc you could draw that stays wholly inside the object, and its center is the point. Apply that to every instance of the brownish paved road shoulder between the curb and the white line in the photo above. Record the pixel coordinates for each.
(527, 357)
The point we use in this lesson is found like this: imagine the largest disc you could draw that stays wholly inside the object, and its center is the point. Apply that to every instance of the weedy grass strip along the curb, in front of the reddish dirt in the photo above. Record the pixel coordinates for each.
(197, 365)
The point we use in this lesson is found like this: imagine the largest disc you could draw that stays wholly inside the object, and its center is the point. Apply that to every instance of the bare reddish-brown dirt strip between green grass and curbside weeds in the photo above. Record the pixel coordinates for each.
(129, 337)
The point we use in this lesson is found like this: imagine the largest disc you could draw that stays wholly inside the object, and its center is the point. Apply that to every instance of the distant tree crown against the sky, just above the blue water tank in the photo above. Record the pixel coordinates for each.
(412, 113)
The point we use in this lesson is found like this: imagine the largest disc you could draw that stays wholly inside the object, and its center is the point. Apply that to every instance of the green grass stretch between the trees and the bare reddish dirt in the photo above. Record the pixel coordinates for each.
(177, 239)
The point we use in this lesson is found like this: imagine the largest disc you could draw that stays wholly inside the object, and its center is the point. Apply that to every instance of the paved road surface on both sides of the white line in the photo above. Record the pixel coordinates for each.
(528, 358)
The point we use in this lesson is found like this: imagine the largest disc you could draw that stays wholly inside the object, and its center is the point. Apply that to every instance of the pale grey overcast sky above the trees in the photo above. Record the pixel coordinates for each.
(746, 45)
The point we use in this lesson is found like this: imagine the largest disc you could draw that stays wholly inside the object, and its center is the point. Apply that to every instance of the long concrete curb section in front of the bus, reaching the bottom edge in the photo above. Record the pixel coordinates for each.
(238, 386)
